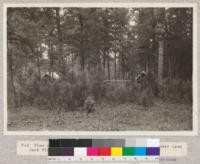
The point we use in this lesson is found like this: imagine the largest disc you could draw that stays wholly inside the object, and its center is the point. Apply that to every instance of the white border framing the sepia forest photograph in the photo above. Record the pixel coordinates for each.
(193, 132)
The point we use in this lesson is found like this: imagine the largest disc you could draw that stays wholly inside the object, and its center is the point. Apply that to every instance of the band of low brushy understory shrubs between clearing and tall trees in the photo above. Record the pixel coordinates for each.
(72, 94)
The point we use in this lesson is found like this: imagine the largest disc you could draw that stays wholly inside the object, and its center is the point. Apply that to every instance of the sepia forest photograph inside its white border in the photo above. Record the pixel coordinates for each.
(99, 69)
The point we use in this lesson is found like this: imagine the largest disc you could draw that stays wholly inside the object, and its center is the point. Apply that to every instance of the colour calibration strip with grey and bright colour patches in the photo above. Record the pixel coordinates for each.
(103, 147)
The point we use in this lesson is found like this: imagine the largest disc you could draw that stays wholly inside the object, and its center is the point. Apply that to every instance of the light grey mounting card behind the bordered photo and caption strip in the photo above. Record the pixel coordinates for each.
(8, 143)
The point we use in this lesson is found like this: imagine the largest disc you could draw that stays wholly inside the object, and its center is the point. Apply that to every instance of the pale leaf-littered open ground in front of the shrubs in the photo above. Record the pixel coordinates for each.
(162, 116)
